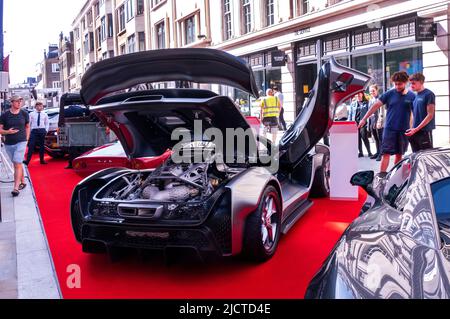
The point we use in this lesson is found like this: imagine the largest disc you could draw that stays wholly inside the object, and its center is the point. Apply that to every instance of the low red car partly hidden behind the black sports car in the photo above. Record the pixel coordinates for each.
(113, 155)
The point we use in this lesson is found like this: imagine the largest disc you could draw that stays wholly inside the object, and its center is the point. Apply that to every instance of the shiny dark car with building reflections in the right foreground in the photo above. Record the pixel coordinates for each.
(399, 247)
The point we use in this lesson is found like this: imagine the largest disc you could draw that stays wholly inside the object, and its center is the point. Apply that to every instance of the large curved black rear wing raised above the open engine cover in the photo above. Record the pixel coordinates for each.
(185, 64)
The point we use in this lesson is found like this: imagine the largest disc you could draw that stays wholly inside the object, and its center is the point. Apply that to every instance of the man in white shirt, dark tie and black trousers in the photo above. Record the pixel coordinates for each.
(39, 128)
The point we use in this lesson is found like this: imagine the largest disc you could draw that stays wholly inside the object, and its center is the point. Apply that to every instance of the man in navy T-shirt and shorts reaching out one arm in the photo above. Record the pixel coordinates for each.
(398, 101)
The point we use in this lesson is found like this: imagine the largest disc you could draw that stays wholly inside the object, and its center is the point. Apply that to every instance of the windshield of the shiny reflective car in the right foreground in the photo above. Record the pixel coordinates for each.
(396, 184)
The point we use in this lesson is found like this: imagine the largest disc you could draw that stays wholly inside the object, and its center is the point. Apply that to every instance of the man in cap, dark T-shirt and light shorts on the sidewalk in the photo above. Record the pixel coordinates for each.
(15, 125)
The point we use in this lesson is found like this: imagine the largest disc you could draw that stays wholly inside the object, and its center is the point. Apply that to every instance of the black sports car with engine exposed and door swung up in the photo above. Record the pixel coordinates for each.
(207, 205)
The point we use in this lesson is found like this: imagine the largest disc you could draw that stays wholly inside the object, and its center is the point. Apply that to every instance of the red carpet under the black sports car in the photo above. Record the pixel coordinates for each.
(286, 275)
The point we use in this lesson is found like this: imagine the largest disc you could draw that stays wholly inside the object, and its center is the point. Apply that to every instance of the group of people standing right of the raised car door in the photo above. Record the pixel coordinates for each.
(395, 119)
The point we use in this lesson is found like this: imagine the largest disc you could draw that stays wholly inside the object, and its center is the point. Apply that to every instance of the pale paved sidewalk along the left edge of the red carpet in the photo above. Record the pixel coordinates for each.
(26, 266)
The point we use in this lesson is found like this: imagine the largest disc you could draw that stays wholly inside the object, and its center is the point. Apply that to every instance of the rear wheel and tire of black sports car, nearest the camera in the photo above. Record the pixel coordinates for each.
(255, 248)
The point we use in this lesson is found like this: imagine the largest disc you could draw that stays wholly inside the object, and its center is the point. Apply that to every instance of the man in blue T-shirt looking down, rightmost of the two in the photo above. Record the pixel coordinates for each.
(421, 133)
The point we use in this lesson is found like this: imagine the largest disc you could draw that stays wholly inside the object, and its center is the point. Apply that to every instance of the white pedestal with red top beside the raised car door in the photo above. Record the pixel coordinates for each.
(343, 160)
